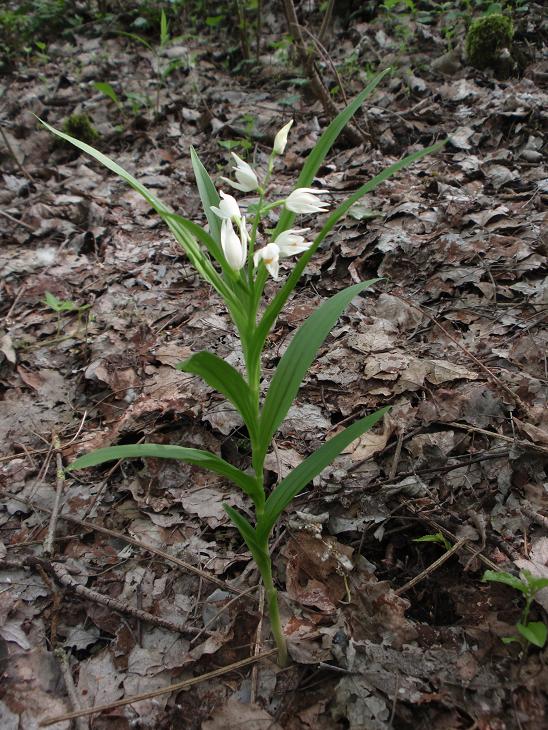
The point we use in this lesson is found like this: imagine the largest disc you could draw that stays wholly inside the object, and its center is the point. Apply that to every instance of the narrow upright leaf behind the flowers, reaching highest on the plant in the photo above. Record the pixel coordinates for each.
(324, 144)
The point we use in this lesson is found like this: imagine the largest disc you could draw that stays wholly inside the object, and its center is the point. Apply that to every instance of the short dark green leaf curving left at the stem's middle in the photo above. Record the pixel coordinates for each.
(221, 376)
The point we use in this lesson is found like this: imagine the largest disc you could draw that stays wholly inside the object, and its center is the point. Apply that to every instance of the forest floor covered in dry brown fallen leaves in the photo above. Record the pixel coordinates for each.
(453, 339)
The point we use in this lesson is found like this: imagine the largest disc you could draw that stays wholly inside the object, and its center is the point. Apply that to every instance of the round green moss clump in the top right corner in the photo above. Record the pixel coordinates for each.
(486, 38)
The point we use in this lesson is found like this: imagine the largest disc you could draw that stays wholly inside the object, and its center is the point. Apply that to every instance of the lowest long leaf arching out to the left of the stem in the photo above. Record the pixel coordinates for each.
(197, 457)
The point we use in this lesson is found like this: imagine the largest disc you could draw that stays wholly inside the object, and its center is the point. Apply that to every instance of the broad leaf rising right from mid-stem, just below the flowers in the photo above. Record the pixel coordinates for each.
(299, 356)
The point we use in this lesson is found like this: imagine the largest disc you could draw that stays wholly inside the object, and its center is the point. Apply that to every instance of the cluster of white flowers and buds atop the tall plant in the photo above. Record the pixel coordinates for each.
(288, 243)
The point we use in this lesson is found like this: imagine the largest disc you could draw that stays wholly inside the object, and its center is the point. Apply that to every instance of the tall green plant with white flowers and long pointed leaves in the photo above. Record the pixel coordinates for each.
(231, 262)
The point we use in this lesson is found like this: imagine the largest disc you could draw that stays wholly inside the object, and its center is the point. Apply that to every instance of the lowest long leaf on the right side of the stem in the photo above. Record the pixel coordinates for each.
(297, 480)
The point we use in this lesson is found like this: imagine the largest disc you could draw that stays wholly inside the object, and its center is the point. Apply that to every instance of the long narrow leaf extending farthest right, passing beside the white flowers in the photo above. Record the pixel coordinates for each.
(276, 305)
